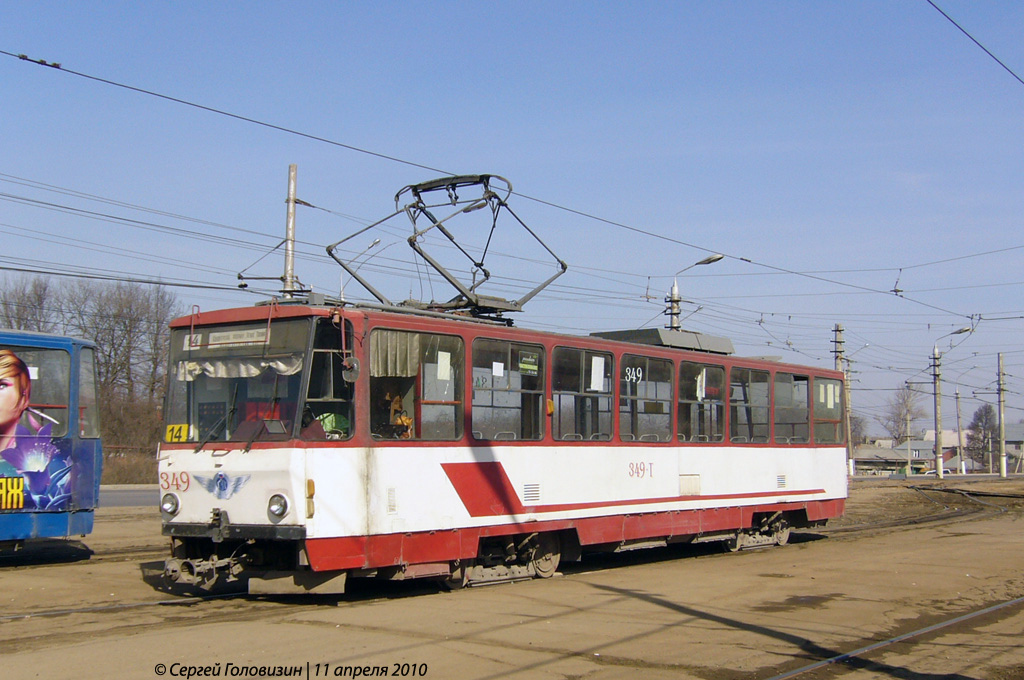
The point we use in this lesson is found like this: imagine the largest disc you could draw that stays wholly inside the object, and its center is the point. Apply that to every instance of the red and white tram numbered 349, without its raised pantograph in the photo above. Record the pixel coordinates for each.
(309, 444)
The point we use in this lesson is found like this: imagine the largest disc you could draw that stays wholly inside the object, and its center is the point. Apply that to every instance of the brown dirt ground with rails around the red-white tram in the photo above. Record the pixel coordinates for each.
(679, 613)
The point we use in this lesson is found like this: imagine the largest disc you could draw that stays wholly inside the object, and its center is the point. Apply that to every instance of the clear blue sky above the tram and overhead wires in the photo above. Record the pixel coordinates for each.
(828, 149)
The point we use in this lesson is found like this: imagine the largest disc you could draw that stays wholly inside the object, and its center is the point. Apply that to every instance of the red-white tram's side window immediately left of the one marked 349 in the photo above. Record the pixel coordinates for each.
(581, 389)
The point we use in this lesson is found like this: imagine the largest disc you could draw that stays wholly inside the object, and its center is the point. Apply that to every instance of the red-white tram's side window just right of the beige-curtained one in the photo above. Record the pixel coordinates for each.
(508, 391)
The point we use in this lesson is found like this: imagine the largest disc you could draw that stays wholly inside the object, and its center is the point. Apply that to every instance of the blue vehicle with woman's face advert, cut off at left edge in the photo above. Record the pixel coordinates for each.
(51, 453)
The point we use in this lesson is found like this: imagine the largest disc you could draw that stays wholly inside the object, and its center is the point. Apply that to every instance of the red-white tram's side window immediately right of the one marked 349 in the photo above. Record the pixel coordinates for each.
(702, 403)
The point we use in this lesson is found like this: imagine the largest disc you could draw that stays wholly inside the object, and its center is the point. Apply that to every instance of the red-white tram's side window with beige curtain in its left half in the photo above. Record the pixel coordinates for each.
(416, 386)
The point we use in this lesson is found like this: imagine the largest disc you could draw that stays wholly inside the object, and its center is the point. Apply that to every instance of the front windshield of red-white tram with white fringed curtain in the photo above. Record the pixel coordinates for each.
(238, 384)
